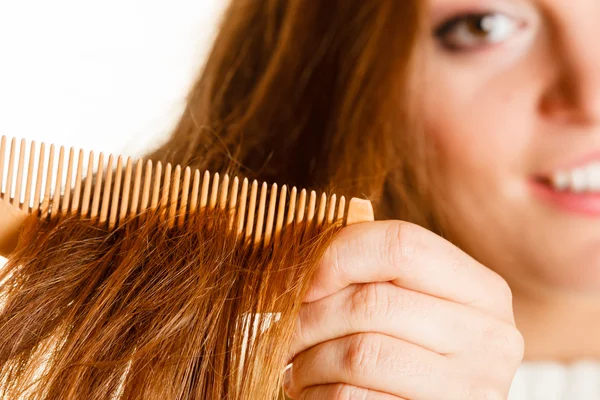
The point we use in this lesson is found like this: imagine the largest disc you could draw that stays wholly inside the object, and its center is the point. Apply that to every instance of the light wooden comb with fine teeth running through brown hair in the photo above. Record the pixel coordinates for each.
(55, 184)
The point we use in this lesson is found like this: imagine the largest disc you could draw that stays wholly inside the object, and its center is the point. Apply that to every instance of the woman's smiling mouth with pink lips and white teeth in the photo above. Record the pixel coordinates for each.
(575, 190)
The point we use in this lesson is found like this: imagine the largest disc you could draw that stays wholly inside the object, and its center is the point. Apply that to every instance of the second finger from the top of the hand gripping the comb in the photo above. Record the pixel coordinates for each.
(414, 317)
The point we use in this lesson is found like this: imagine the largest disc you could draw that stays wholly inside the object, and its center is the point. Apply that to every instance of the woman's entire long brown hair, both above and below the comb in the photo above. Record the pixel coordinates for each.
(315, 94)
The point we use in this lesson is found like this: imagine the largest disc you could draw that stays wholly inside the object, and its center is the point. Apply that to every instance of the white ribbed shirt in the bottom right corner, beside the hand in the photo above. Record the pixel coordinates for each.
(555, 381)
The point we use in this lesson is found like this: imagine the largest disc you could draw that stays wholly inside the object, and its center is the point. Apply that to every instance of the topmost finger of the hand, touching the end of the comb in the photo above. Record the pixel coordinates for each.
(412, 257)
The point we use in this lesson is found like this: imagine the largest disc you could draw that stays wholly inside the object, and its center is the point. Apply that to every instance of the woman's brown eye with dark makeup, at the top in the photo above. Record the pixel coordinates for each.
(471, 31)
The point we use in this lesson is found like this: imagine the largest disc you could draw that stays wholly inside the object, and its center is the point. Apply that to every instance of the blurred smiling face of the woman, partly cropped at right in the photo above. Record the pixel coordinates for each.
(513, 103)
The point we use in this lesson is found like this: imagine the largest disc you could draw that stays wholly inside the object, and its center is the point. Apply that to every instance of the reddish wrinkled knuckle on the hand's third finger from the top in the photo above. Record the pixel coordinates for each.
(362, 354)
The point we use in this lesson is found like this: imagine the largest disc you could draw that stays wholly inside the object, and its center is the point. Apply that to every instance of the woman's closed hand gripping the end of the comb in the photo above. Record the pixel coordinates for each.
(397, 312)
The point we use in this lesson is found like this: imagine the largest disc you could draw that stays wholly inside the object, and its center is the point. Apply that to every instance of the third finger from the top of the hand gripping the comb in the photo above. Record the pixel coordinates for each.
(372, 361)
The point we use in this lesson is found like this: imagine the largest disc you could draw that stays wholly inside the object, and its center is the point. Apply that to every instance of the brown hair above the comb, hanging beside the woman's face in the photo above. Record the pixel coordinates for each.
(315, 94)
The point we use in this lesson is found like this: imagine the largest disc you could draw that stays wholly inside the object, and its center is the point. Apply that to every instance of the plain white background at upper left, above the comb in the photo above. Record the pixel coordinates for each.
(106, 76)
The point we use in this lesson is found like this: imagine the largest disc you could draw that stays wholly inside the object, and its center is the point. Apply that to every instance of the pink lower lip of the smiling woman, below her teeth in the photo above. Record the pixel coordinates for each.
(585, 203)
